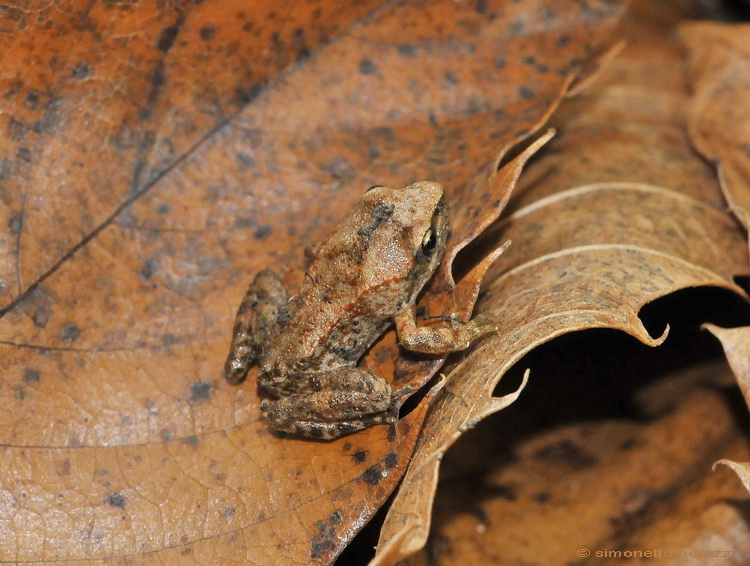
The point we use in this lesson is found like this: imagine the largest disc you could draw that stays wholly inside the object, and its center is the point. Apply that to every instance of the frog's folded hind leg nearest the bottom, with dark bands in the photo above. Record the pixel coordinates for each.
(330, 404)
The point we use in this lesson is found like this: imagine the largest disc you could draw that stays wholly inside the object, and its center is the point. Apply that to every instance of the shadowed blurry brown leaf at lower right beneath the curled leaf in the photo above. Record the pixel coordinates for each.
(635, 483)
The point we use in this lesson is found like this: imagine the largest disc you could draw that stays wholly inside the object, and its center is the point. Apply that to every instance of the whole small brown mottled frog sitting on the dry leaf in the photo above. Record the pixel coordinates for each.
(362, 279)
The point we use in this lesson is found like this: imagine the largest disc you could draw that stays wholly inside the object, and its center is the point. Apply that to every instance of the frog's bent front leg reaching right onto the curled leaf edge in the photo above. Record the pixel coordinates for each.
(440, 340)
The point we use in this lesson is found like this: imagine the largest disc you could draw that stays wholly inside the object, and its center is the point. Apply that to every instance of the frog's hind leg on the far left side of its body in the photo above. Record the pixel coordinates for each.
(255, 318)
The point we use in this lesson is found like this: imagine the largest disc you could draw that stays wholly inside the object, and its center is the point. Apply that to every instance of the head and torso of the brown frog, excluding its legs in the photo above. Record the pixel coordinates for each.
(367, 271)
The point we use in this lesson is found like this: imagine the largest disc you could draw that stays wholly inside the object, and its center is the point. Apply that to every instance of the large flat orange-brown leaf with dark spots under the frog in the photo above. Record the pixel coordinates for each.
(147, 175)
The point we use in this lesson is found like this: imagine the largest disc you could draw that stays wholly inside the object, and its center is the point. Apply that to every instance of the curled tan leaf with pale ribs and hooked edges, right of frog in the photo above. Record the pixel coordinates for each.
(588, 255)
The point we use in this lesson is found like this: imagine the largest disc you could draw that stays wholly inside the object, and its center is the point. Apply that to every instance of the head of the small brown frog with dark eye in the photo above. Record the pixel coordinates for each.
(407, 234)
